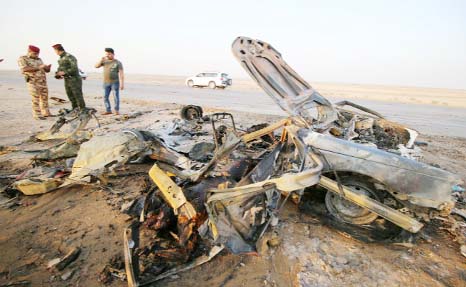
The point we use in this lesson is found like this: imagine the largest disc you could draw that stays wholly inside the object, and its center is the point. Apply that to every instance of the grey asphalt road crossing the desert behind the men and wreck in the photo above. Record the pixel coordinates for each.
(429, 119)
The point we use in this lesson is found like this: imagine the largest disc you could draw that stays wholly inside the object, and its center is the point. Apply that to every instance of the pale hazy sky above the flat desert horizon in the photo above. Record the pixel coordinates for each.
(409, 43)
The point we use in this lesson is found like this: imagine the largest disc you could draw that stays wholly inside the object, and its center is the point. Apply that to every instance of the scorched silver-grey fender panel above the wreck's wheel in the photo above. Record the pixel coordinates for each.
(407, 180)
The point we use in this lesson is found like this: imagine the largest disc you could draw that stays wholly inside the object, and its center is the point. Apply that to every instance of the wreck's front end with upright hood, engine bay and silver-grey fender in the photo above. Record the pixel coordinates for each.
(342, 136)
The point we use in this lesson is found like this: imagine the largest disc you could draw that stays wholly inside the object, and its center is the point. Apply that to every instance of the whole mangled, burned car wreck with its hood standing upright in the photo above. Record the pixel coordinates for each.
(218, 187)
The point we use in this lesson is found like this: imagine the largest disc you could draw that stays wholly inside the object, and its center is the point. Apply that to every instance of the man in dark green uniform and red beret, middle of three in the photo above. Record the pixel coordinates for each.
(68, 70)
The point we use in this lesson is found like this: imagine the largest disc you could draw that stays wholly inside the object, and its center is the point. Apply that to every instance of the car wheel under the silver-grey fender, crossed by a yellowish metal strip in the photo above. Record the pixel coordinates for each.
(347, 211)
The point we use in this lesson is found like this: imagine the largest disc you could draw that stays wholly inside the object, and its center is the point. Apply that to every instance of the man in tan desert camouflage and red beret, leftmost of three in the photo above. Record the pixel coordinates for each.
(34, 71)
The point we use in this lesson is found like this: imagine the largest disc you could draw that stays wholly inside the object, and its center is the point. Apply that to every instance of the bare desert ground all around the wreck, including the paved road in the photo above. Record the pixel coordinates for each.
(43, 227)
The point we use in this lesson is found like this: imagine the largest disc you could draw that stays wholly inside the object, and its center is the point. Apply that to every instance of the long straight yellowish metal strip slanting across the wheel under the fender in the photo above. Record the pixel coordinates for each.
(398, 218)
